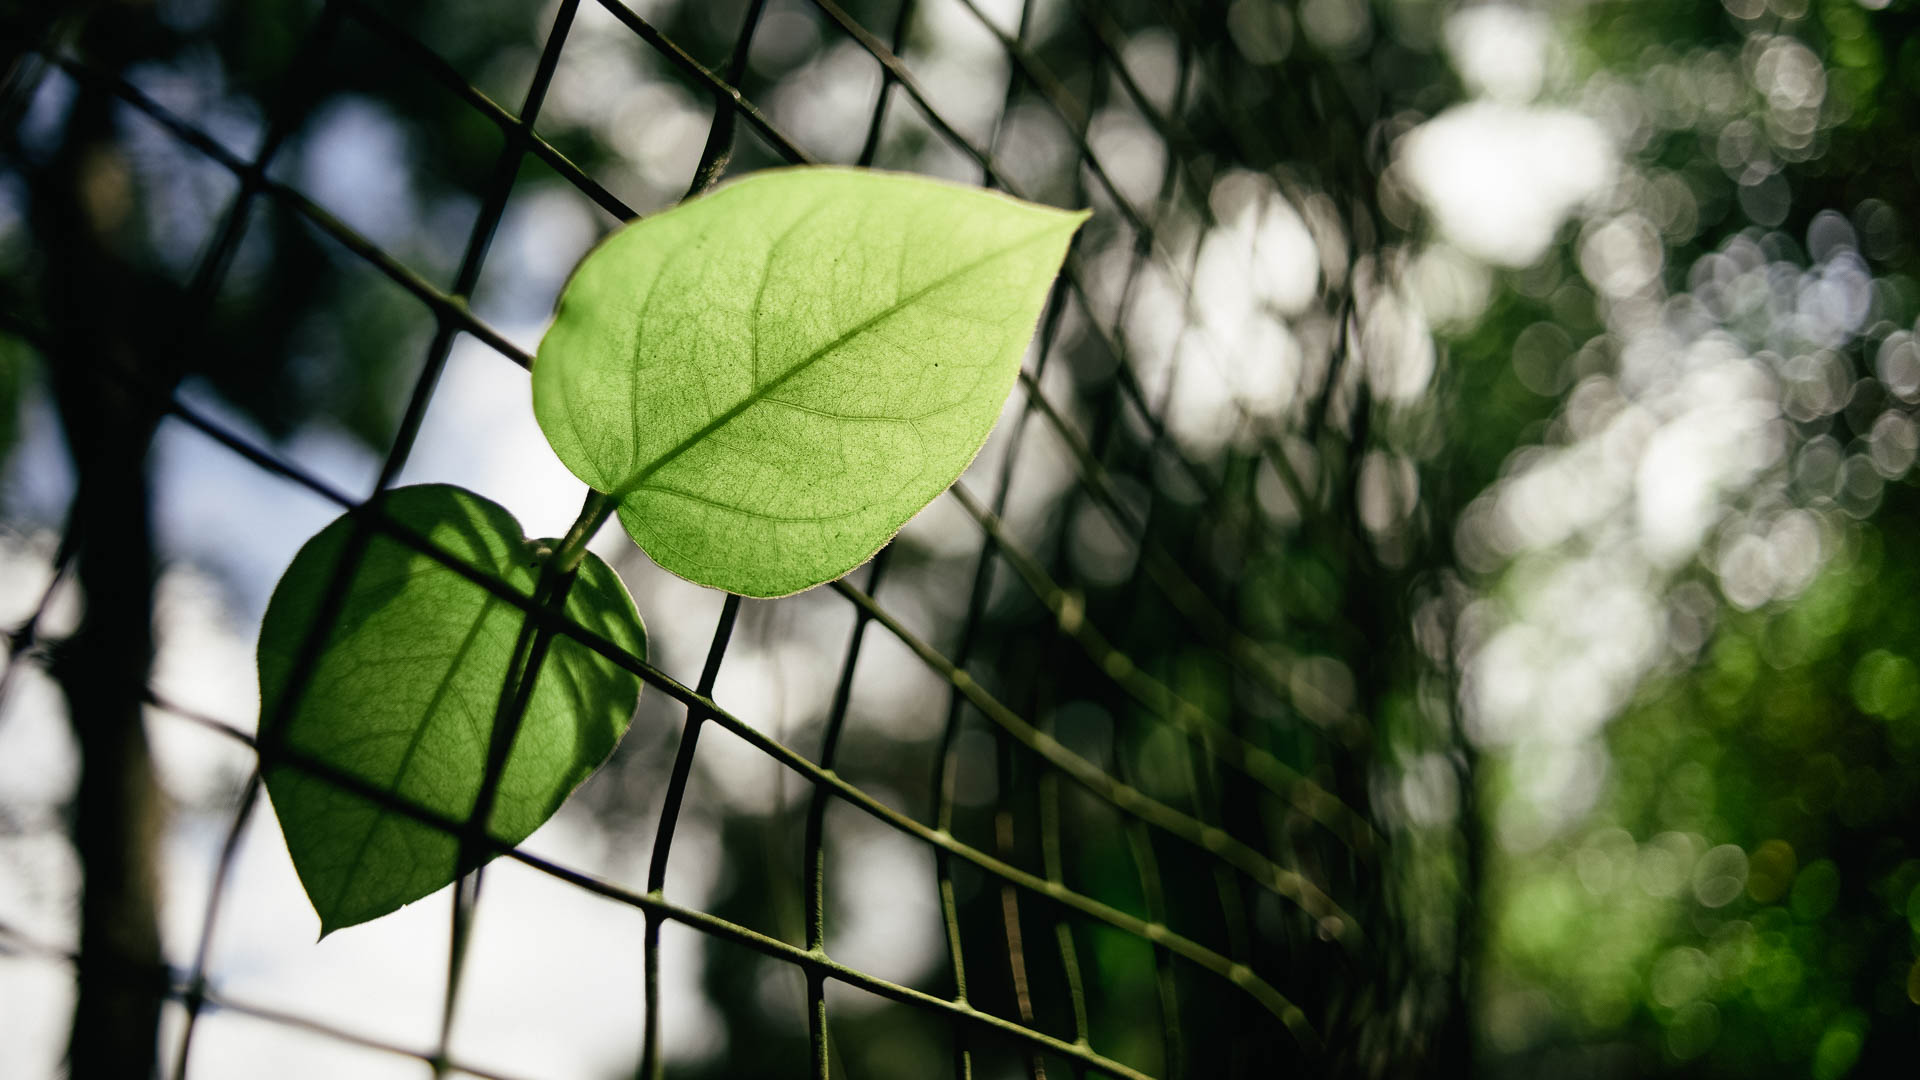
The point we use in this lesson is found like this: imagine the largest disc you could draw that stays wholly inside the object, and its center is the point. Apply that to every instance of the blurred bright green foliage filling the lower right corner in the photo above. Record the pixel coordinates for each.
(1744, 896)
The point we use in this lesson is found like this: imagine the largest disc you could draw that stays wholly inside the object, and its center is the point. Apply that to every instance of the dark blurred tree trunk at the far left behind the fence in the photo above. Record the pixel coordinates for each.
(103, 362)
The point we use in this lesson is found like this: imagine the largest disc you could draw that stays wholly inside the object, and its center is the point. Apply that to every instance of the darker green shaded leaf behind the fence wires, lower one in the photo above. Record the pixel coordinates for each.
(406, 691)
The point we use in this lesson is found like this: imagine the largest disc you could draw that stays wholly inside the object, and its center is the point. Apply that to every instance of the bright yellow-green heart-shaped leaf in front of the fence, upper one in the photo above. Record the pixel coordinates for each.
(775, 378)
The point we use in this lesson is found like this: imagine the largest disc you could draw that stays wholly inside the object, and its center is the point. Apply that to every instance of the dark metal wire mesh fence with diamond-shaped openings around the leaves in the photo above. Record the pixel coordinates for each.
(1260, 883)
